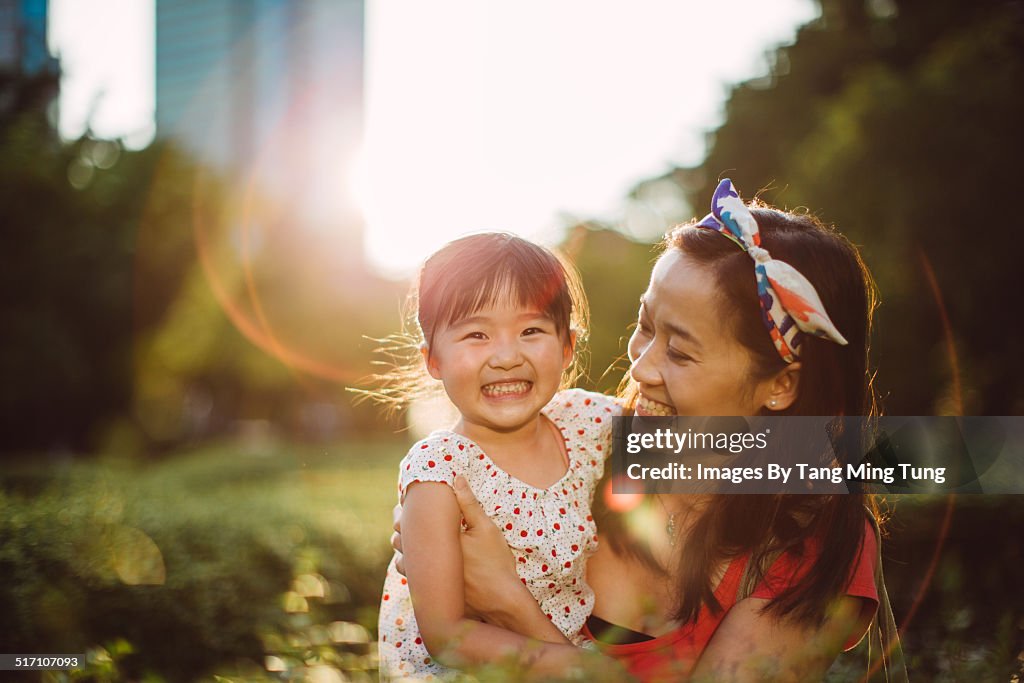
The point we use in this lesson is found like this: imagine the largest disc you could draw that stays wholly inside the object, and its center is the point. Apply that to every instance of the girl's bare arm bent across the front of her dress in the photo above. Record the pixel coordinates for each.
(434, 564)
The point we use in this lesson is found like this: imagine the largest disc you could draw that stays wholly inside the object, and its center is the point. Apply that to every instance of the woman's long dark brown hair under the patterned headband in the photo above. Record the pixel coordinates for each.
(834, 381)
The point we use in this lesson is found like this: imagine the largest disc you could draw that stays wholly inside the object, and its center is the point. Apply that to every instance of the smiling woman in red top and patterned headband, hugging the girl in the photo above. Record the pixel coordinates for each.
(750, 312)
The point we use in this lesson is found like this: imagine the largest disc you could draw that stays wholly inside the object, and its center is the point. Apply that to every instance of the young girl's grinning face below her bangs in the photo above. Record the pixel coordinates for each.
(500, 367)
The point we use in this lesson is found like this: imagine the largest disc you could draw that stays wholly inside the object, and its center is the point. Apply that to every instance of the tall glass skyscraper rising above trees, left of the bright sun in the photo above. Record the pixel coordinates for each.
(270, 92)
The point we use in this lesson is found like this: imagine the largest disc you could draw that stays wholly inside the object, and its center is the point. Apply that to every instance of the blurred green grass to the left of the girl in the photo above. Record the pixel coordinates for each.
(199, 560)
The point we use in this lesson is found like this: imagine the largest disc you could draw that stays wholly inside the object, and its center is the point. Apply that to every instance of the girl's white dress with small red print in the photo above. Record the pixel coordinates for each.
(550, 531)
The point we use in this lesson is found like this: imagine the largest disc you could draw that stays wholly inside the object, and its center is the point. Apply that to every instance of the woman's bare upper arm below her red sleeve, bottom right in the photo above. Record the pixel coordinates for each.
(753, 646)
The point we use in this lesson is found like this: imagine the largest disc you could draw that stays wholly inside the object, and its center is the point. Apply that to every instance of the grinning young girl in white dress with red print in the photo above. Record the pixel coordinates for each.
(500, 319)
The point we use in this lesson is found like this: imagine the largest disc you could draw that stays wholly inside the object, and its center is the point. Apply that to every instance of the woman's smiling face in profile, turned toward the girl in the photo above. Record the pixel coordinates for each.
(686, 358)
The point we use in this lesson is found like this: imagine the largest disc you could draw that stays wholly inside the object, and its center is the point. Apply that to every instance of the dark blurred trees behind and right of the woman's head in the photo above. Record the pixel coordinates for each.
(900, 121)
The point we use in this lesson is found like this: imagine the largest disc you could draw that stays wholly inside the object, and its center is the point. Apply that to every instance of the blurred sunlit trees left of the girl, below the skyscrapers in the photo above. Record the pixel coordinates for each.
(141, 308)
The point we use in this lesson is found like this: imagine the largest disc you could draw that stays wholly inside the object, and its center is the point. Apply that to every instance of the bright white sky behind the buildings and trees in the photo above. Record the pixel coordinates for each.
(482, 114)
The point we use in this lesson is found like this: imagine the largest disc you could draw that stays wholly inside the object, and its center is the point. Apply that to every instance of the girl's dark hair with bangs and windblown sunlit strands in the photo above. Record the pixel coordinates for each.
(466, 276)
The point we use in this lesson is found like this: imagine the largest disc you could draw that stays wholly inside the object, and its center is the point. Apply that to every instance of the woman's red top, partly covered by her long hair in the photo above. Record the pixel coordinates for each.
(673, 656)
